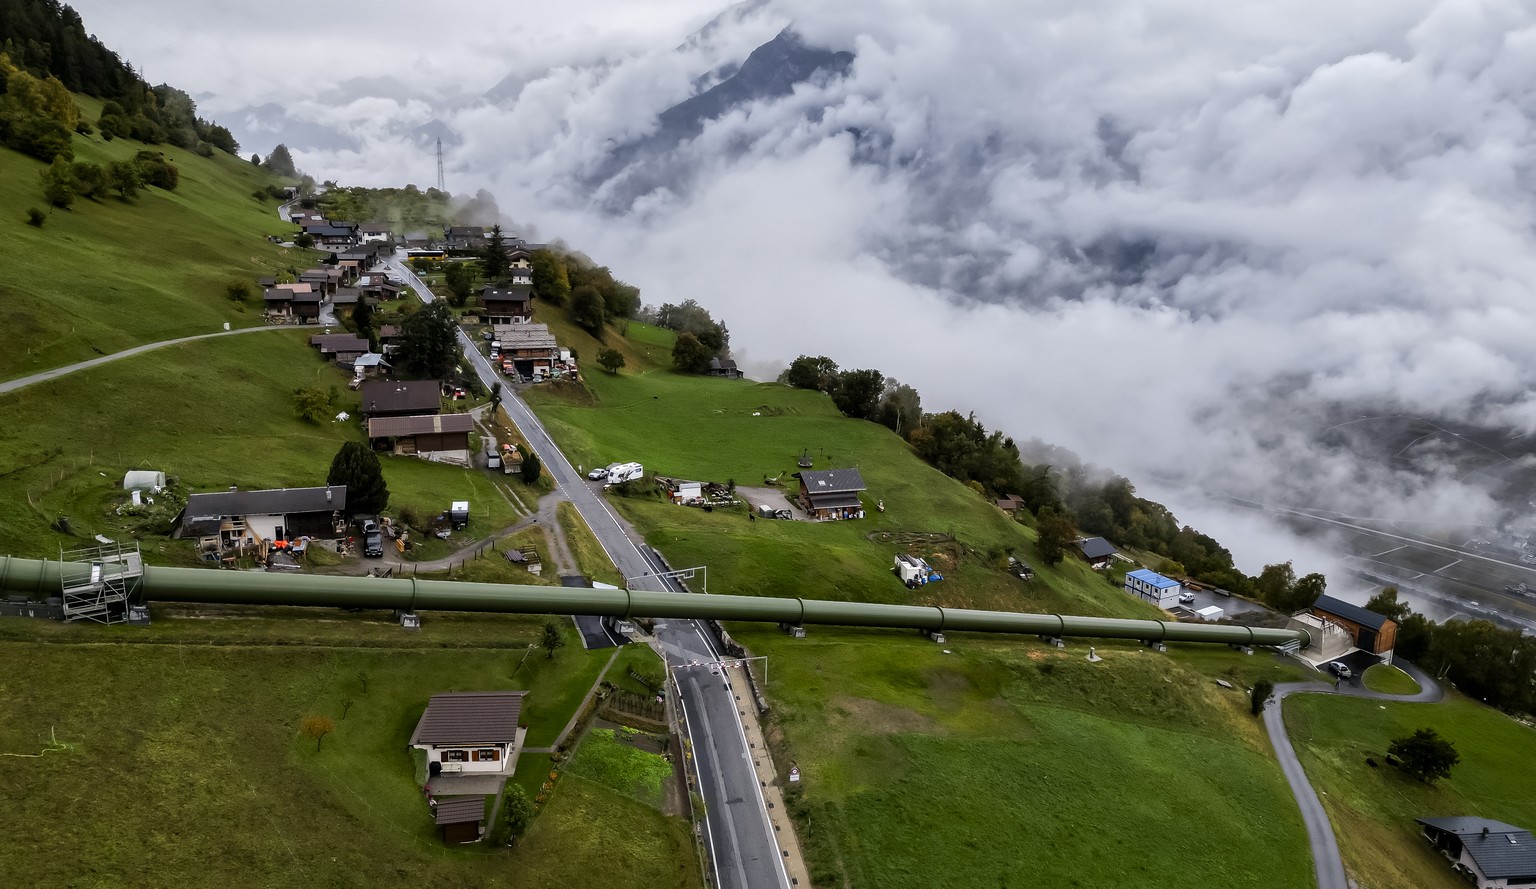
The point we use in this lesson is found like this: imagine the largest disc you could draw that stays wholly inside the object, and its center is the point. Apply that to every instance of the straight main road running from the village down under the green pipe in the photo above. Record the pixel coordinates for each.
(741, 838)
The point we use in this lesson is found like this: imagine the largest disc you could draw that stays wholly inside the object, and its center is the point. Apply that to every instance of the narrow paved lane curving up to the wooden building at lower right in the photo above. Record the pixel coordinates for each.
(1326, 861)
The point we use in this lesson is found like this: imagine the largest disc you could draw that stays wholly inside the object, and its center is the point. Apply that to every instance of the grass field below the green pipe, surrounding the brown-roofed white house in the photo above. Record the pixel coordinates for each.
(176, 752)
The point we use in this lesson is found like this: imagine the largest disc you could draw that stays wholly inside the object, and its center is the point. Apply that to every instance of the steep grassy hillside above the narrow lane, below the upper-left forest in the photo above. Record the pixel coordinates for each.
(107, 276)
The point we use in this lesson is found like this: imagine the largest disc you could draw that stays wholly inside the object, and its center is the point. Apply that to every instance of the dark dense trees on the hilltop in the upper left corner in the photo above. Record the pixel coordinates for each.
(47, 56)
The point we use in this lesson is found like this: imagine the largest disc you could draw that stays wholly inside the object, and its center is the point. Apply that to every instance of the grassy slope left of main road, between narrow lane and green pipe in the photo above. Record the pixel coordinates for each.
(214, 414)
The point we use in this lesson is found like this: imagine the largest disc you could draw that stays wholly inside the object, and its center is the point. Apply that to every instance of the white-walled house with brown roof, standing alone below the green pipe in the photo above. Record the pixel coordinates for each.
(471, 732)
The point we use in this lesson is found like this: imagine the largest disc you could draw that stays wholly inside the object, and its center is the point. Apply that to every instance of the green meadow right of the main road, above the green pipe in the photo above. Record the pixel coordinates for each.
(718, 431)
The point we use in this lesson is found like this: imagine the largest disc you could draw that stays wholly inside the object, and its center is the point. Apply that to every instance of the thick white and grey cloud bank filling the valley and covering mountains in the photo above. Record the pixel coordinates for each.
(1180, 240)
